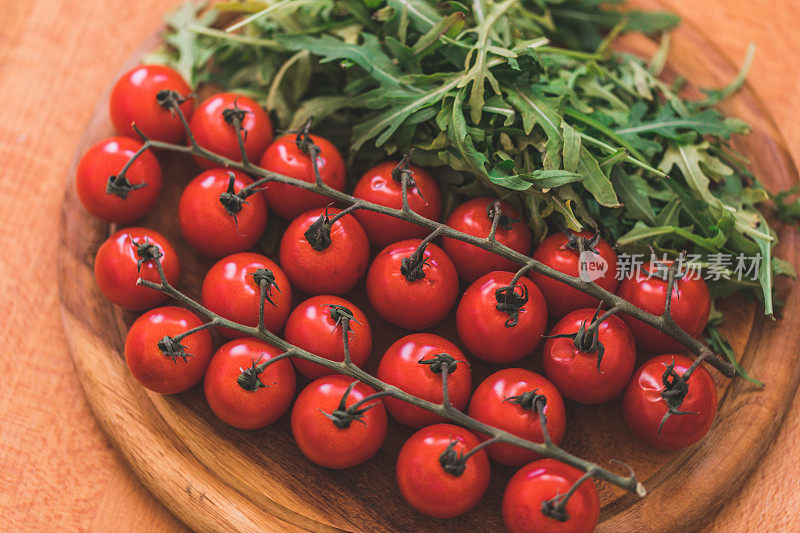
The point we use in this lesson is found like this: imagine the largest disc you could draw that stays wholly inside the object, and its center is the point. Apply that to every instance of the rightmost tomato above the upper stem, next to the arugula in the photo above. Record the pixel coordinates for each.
(690, 306)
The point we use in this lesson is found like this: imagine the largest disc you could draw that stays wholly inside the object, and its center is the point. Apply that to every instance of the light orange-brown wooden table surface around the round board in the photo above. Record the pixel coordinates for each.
(57, 469)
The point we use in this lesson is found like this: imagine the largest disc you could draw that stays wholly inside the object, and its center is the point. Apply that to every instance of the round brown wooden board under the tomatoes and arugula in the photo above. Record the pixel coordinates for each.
(214, 477)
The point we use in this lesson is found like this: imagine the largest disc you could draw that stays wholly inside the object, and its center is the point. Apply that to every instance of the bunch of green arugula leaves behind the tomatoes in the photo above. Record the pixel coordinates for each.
(528, 100)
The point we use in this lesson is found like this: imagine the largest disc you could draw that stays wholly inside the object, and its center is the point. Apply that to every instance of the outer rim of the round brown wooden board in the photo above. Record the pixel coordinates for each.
(209, 503)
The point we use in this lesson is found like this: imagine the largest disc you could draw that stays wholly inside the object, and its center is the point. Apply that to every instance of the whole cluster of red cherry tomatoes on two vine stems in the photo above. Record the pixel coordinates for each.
(336, 422)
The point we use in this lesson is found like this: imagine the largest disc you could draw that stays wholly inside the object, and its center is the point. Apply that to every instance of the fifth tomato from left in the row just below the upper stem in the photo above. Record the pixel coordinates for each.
(482, 328)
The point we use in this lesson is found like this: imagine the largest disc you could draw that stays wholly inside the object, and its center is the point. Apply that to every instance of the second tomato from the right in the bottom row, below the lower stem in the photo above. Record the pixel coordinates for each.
(424, 483)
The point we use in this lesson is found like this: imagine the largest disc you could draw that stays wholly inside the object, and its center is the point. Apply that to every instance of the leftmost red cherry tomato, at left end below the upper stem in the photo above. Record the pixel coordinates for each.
(107, 158)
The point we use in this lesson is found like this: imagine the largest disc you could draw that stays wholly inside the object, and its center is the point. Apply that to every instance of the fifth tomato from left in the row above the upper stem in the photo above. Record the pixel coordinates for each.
(472, 217)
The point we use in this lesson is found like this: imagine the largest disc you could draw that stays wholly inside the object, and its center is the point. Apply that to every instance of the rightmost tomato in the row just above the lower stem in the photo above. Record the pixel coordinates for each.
(489, 405)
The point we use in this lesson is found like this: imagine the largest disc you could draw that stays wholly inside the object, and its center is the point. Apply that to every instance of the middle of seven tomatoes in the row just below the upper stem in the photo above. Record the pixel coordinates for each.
(404, 298)
